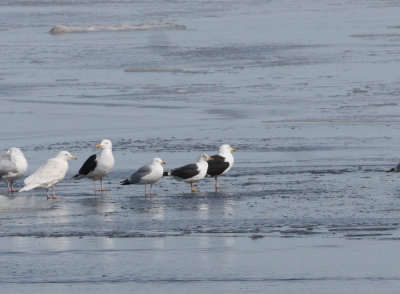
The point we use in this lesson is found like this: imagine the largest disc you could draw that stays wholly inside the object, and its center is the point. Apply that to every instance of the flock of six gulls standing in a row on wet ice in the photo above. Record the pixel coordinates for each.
(98, 166)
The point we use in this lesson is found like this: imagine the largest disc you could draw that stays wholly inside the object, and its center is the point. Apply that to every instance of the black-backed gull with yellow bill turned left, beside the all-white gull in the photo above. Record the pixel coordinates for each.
(99, 165)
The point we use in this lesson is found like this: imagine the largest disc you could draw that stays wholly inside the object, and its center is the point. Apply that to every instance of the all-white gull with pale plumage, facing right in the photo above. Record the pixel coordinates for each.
(49, 174)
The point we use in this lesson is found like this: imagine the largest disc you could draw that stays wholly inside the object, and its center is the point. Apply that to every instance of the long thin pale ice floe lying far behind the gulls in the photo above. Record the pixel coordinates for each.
(63, 29)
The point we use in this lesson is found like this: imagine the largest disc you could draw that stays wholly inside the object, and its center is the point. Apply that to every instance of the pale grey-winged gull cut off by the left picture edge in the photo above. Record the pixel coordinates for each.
(13, 168)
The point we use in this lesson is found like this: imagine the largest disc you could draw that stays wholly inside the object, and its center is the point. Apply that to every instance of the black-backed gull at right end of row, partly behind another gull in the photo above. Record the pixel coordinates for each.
(222, 163)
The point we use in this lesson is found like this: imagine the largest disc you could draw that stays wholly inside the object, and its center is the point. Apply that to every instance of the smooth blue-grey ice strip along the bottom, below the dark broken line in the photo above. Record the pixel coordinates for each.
(198, 264)
